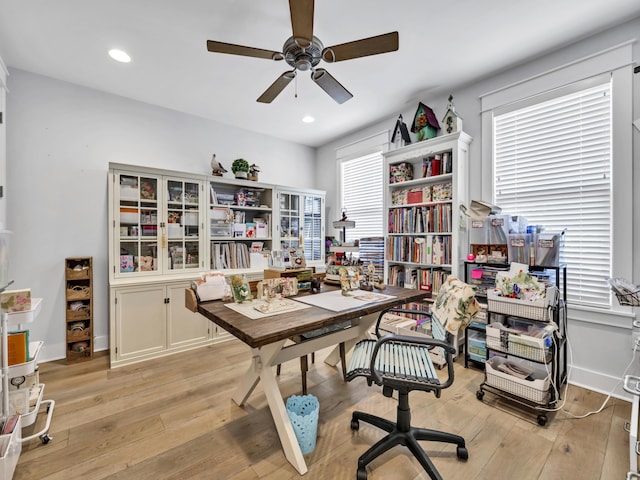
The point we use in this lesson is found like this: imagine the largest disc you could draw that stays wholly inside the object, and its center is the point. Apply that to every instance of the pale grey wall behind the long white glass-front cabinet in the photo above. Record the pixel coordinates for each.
(60, 140)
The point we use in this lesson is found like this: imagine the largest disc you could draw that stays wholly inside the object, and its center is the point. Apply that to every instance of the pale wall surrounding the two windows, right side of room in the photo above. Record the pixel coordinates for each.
(600, 341)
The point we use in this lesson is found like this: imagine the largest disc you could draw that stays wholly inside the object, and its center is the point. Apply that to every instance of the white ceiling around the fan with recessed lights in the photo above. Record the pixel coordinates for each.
(443, 45)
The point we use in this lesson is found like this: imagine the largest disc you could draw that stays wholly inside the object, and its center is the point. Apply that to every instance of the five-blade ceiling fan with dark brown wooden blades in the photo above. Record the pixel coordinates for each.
(303, 51)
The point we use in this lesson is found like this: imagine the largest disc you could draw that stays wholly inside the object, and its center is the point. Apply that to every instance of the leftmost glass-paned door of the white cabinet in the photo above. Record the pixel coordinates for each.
(137, 223)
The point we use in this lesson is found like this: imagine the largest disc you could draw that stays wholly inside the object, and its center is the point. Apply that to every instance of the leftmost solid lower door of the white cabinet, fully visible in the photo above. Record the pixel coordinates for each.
(139, 321)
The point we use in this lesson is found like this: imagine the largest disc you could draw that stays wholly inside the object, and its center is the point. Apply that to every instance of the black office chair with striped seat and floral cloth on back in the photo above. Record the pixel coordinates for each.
(403, 363)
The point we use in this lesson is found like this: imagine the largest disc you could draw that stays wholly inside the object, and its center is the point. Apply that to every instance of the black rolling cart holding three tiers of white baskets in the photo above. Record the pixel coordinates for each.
(546, 356)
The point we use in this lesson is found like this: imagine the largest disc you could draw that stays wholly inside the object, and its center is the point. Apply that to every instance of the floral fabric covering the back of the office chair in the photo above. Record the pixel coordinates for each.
(455, 305)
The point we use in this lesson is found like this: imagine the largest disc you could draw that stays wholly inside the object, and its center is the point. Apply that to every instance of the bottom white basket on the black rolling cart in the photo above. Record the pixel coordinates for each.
(536, 390)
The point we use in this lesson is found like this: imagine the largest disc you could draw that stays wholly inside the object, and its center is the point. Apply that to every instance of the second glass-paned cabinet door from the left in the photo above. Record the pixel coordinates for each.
(183, 224)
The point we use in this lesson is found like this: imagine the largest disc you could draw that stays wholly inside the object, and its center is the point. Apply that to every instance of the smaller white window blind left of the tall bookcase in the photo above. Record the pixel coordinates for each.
(362, 195)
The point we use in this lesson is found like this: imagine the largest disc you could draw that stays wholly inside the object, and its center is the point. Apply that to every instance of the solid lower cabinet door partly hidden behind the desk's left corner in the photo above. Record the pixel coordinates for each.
(185, 328)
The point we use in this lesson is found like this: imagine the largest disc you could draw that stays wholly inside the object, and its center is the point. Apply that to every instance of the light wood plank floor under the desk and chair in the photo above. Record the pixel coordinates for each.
(173, 418)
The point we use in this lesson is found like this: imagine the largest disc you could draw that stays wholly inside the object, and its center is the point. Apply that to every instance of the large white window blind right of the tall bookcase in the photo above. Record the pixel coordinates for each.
(553, 165)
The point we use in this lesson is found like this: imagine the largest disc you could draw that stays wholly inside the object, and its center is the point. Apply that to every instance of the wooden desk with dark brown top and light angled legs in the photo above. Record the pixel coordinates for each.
(267, 337)
